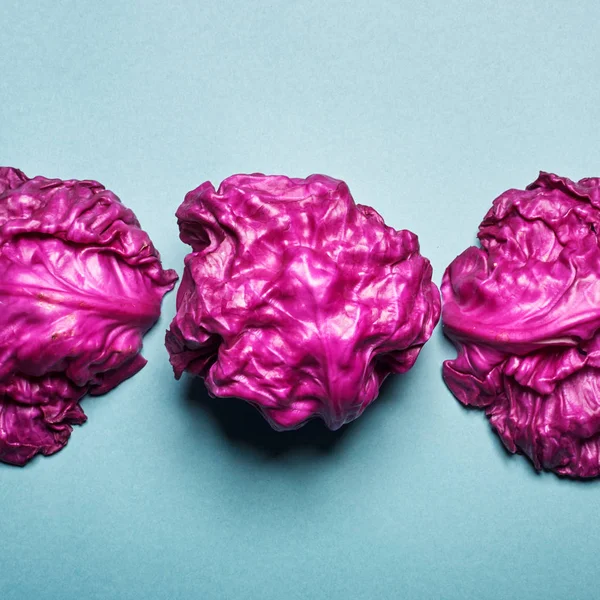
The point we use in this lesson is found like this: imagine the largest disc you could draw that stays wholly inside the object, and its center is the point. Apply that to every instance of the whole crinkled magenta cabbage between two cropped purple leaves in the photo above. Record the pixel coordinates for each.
(296, 299)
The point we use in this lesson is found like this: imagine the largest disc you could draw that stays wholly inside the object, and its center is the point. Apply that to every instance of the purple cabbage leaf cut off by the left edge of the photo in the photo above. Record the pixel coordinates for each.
(81, 283)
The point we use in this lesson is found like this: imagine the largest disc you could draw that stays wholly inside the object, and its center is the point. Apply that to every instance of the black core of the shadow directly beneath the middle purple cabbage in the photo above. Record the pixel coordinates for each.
(243, 424)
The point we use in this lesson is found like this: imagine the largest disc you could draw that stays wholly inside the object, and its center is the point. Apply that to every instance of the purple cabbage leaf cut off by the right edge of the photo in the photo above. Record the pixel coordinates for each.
(524, 313)
